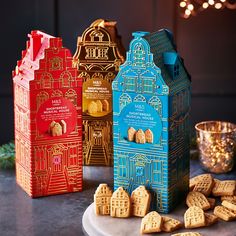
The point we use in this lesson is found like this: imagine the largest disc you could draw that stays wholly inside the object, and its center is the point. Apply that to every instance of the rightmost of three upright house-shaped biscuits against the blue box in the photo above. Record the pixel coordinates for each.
(140, 201)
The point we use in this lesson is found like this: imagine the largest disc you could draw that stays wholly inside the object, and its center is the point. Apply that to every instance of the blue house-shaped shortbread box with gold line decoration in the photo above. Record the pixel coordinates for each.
(151, 103)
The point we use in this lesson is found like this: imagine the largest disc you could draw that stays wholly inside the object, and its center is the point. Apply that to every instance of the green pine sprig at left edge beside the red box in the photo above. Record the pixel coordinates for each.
(7, 155)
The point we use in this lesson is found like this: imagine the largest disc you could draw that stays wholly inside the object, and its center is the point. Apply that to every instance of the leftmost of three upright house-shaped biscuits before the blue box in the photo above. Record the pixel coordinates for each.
(102, 200)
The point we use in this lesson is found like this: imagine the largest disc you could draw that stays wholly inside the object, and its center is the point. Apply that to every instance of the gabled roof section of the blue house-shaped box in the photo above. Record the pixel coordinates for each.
(153, 53)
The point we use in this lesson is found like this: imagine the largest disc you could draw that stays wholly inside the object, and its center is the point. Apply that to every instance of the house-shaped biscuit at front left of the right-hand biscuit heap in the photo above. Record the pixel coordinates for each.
(194, 217)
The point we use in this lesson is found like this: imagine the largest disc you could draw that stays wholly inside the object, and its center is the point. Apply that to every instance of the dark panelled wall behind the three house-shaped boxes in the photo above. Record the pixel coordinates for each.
(207, 43)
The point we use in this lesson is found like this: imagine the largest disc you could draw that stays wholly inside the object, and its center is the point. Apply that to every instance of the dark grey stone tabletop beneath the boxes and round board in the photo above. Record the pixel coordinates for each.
(59, 215)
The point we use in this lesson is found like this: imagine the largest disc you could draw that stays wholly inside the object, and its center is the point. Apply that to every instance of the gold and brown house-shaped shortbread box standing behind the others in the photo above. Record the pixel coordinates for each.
(97, 58)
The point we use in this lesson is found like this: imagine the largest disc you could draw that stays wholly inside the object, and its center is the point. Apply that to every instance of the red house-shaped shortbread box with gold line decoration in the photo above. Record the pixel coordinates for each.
(48, 118)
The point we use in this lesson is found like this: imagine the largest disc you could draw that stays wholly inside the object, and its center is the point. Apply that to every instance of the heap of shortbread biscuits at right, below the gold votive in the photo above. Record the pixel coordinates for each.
(198, 201)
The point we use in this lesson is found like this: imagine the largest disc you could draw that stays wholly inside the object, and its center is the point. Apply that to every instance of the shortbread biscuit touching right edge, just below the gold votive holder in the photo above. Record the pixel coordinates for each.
(224, 188)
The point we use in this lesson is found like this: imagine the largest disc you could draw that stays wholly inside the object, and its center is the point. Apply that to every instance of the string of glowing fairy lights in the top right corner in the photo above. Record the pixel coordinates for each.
(193, 7)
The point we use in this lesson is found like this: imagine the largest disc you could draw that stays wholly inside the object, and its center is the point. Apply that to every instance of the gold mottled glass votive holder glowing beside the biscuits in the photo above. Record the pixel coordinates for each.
(216, 144)
